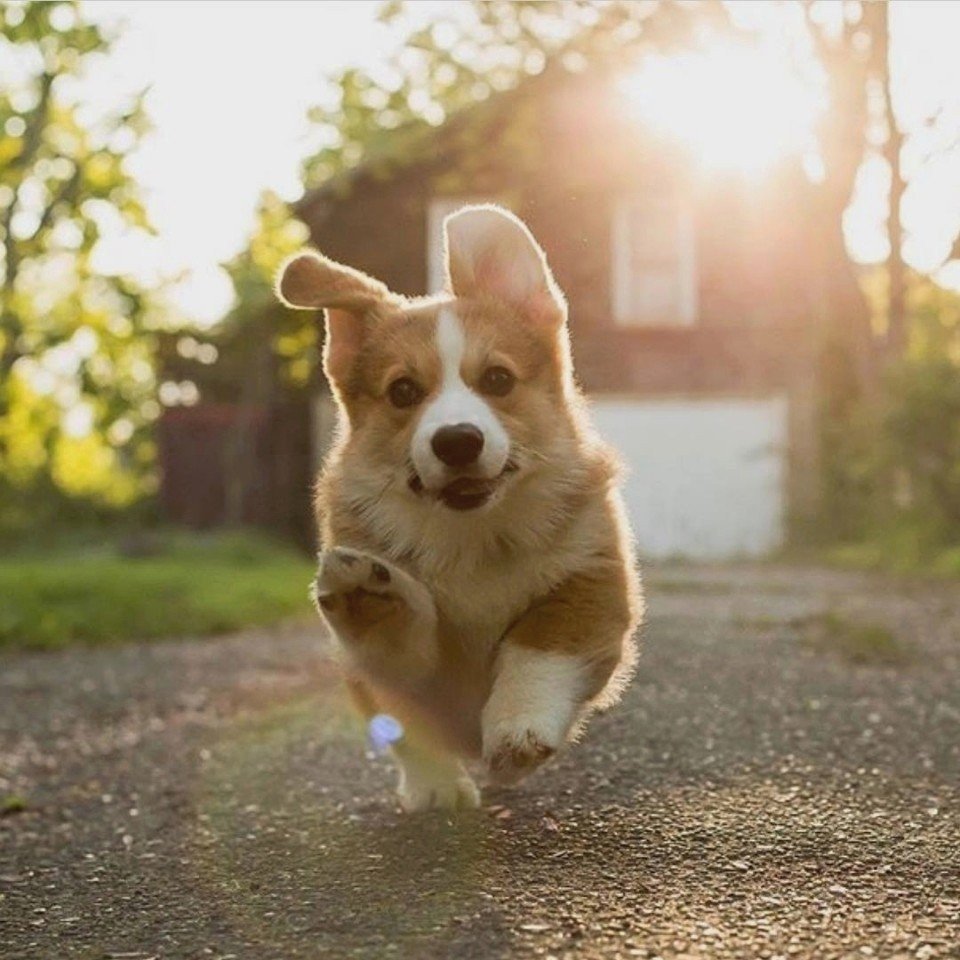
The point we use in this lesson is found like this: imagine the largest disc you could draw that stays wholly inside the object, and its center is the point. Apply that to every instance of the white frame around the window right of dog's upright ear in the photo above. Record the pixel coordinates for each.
(624, 312)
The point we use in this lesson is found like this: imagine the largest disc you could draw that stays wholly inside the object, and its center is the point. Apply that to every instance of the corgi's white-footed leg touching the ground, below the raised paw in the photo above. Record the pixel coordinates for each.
(430, 777)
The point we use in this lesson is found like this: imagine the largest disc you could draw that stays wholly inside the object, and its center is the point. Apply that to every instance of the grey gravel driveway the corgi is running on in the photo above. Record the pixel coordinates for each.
(782, 780)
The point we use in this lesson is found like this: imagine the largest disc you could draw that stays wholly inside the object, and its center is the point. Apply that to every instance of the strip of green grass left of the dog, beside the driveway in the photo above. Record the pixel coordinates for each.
(179, 585)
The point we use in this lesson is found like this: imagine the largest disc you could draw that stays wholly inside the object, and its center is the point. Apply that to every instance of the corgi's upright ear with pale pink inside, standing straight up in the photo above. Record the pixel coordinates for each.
(490, 252)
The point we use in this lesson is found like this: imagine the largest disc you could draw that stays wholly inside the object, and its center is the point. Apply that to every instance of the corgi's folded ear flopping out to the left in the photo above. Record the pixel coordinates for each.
(351, 299)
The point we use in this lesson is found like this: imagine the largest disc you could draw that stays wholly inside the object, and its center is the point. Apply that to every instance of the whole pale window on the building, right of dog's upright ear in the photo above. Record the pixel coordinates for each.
(654, 262)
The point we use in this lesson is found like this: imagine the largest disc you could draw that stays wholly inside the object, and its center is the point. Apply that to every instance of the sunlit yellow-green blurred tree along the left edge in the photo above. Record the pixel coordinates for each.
(76, 358)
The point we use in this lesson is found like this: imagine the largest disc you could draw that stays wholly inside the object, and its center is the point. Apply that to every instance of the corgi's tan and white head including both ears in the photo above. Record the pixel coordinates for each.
(451, 399)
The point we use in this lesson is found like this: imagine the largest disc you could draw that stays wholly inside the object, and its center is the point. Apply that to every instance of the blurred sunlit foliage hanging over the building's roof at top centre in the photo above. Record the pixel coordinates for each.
(379, 117)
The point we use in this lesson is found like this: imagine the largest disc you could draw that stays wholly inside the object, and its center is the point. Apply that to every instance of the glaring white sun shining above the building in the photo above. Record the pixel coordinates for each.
(738, 108)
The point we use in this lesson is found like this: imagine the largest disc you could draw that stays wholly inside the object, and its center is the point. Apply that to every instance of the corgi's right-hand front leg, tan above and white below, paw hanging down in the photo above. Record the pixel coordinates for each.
(553, 664)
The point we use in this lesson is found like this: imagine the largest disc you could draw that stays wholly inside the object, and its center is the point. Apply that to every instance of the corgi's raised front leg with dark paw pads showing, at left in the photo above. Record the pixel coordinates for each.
(385, 620)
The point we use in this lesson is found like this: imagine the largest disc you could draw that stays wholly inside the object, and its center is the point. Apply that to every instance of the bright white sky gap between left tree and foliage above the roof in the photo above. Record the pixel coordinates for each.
(230, 85)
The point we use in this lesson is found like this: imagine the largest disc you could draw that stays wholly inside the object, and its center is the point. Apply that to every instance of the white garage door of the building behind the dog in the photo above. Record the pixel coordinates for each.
(705, 477)
